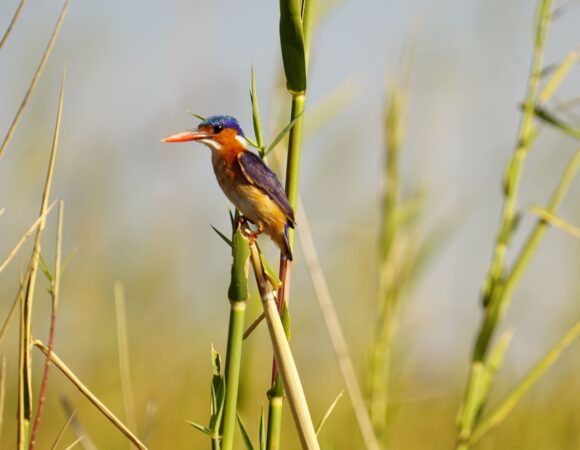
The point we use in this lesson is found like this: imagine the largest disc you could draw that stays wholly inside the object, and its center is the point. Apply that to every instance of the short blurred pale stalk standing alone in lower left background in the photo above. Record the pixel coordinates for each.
(124, 366)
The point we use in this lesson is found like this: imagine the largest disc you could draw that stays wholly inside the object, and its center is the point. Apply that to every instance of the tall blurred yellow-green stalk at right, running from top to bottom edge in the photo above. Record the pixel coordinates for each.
(499, 286)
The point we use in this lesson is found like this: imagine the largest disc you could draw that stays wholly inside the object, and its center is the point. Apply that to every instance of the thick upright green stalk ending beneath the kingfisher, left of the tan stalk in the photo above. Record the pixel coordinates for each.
(238, 294)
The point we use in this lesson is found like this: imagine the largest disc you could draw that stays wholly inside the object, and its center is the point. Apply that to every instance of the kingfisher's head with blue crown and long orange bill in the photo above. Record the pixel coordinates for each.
(217, 132)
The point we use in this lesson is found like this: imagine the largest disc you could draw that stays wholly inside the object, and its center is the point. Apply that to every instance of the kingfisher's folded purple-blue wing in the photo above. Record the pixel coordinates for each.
(260, 175)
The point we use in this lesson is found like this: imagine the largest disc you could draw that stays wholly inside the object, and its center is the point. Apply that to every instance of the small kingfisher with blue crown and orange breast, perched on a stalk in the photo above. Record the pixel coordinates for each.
(244, 177)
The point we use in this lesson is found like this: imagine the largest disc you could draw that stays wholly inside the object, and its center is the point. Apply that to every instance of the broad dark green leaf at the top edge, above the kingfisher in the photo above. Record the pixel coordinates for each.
(292, 45)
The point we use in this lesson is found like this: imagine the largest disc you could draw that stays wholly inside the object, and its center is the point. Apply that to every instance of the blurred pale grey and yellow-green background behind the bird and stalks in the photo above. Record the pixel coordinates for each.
(139, 212)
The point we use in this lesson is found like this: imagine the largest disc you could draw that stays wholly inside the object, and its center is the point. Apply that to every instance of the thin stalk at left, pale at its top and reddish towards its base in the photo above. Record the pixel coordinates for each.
(54, 291)
